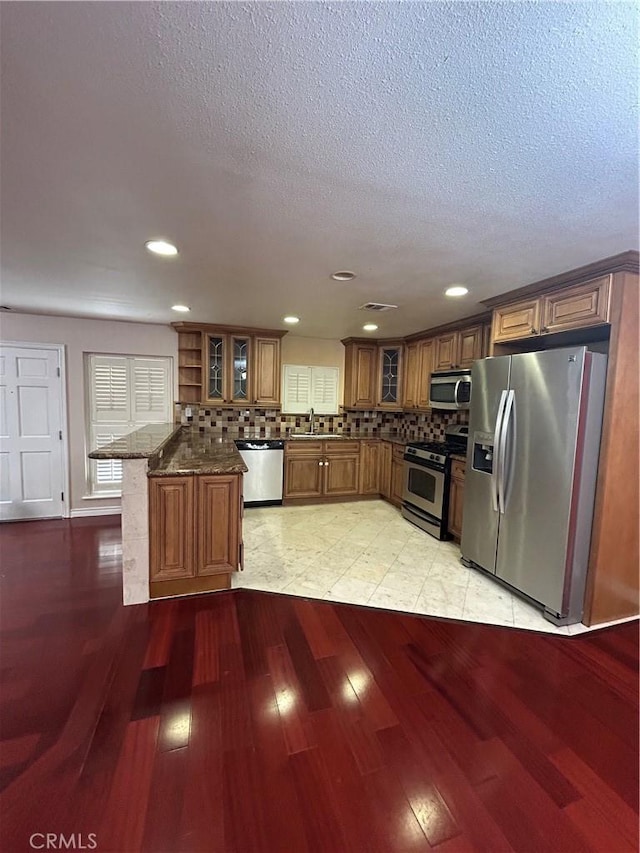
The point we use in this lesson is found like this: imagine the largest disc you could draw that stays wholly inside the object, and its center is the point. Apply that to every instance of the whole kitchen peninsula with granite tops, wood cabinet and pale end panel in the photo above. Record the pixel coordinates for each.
(181, 511)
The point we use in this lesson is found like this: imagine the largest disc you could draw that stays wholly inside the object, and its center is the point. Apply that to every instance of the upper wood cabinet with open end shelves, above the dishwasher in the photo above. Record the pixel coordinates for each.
(228, 366)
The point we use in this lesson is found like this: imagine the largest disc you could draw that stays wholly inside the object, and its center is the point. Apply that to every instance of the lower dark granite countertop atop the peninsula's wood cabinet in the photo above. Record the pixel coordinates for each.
(199, 453)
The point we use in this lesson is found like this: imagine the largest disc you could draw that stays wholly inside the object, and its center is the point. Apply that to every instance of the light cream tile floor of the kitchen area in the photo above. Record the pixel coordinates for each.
(365, 552)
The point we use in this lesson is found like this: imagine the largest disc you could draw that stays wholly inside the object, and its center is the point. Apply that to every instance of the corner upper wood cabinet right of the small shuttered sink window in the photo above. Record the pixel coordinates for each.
(373, 374)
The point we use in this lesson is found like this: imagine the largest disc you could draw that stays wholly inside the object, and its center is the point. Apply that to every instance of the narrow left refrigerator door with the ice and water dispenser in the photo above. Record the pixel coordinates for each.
(489, 379)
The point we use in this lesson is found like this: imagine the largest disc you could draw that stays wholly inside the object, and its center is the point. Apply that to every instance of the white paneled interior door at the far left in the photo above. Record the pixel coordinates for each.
(31, 447)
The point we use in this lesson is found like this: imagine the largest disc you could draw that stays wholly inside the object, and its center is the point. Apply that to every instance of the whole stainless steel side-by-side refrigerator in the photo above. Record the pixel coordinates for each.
(532, 461)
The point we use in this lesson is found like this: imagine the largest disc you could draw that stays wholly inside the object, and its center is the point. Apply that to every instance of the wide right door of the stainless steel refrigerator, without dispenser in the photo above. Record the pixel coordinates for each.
(541, 430)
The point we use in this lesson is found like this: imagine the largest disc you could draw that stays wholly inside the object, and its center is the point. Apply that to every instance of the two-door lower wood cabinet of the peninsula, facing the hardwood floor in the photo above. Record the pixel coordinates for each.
(195, 537)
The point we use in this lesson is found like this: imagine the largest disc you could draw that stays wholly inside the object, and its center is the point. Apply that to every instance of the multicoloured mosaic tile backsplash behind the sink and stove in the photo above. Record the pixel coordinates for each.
(429, 426)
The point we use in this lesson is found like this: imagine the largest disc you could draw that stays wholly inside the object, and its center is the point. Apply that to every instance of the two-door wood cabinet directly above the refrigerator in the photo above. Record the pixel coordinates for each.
(562, 310)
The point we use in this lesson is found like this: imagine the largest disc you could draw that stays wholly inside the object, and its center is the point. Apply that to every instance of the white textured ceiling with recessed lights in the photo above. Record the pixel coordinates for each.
(419, 144)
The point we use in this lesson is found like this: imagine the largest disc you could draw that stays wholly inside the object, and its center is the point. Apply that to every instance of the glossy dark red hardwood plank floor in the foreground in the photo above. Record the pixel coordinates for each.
(242, 721)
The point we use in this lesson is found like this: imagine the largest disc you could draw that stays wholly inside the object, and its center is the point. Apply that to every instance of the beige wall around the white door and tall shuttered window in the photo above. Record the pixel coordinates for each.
(79, 337)
